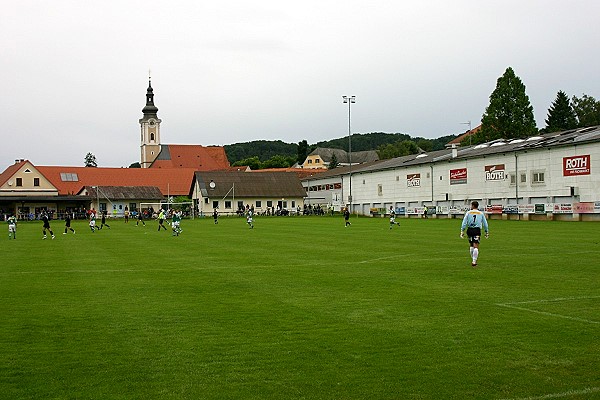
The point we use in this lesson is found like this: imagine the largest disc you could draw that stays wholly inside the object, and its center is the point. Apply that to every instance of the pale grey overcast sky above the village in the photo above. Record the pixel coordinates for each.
(73, 75)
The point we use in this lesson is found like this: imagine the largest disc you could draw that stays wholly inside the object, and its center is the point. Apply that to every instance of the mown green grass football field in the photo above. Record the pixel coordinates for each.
(301, 308)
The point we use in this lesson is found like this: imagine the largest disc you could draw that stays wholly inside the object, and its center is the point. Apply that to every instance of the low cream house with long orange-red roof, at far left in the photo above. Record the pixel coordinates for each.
(27, 189)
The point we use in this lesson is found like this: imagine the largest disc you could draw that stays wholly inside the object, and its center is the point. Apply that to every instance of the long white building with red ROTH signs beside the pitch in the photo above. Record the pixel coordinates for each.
(547, 176)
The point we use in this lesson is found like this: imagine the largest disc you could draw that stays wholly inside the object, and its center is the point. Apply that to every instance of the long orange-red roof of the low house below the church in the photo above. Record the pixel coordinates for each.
(170, 181)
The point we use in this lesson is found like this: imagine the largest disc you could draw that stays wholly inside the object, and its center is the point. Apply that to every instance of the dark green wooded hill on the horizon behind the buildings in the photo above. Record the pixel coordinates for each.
(271, 153)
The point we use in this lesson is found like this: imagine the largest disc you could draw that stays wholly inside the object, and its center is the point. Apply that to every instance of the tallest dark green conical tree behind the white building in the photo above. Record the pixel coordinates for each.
(509, 114)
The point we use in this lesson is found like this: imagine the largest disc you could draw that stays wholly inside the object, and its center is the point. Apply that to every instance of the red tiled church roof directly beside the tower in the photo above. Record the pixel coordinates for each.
(191, 156)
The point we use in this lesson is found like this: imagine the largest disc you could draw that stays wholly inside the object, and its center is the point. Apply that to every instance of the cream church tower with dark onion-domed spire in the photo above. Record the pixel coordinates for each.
(150, 127)
